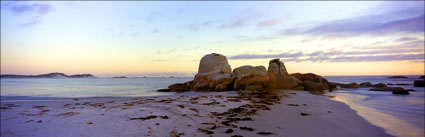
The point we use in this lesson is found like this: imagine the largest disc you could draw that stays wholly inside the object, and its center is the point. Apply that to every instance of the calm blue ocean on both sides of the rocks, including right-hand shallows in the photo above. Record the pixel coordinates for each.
(400, 115)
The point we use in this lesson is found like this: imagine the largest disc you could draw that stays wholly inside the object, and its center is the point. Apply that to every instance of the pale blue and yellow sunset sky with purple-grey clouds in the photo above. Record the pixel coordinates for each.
(168, 38)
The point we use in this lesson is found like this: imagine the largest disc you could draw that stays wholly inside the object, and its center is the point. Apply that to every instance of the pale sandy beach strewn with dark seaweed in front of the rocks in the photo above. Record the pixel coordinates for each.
(285, 113)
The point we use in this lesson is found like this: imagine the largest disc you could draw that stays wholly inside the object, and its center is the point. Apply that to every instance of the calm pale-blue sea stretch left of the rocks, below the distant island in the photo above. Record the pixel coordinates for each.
(35, 88)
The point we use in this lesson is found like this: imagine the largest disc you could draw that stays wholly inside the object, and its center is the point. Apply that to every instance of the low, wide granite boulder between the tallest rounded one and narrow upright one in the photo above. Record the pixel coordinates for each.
(253, 78)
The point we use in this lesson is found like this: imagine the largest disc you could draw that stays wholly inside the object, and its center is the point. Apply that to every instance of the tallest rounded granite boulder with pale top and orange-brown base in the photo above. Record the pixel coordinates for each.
(214, 74)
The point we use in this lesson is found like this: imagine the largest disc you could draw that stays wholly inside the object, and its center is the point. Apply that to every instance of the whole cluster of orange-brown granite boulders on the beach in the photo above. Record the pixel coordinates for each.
(215, 74)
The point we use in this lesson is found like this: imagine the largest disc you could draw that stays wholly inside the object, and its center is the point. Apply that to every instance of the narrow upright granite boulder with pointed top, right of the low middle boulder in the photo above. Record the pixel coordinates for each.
(283, 79)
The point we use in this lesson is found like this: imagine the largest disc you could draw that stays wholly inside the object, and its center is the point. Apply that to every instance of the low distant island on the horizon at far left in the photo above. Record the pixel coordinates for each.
(49, 75)
